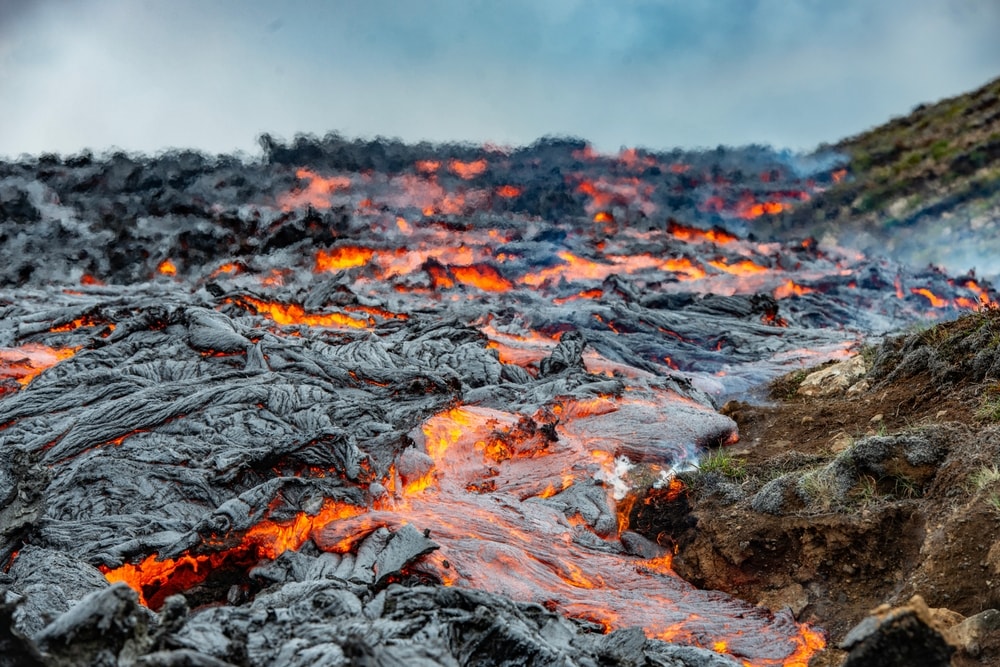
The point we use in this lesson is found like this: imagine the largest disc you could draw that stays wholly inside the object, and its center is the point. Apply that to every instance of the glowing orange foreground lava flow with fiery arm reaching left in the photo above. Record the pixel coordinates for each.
(486, 465)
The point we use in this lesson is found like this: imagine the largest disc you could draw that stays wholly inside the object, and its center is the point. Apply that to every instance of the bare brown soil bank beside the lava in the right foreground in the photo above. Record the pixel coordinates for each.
(903, 527)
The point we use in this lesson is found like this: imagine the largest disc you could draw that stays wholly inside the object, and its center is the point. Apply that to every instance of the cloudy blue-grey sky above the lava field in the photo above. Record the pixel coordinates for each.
(143, 75)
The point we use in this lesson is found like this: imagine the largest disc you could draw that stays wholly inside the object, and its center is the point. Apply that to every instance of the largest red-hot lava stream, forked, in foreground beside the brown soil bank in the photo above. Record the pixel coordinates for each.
(488, 491)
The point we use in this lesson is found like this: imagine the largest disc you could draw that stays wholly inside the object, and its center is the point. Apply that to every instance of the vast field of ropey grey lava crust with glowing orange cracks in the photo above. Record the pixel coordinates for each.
(370, 401)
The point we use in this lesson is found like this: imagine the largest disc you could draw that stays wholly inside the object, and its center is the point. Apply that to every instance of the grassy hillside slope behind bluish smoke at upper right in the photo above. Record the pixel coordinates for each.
(924, 187)
